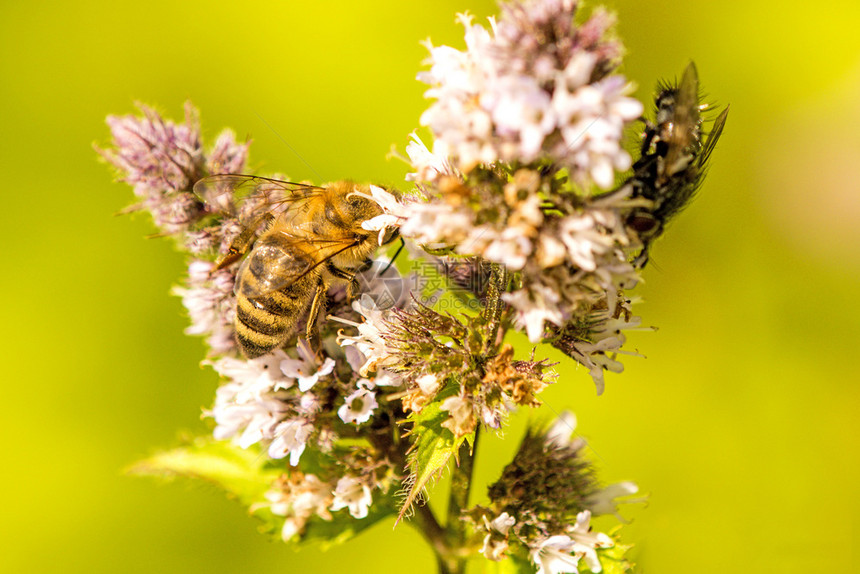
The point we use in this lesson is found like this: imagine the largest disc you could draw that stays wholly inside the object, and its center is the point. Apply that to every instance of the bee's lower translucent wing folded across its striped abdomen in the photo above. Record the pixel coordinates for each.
(272, 267)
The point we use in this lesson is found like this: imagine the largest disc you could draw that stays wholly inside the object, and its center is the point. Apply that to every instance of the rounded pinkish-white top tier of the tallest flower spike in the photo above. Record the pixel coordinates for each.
(515, 97)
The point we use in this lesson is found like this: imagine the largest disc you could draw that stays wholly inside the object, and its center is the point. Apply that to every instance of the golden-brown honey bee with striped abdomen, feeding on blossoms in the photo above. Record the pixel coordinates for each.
(313, 239)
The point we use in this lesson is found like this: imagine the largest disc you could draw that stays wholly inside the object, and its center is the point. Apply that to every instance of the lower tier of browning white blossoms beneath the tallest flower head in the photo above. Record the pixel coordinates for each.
(573, 261)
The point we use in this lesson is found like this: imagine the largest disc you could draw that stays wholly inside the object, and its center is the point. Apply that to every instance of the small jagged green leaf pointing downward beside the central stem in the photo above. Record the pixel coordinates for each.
(432, 446)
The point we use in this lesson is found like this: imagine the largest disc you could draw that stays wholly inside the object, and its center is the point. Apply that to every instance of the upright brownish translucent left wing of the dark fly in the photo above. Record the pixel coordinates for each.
(685, 122)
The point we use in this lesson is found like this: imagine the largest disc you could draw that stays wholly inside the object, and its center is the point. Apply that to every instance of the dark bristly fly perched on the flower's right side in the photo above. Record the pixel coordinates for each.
(673, 159)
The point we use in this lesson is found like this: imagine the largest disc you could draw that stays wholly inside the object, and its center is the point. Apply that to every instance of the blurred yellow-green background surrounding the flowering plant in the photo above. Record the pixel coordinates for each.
(742, 424)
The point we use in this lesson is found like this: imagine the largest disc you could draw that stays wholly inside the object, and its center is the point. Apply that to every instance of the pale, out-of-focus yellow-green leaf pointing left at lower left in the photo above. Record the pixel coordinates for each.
(241, 473)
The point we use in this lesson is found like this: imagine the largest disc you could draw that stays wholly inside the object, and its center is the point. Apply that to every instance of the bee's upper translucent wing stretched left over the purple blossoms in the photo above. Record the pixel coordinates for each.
(225, 192)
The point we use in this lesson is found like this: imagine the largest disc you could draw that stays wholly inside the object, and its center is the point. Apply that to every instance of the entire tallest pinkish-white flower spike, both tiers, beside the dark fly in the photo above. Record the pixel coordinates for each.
(537, 91)
